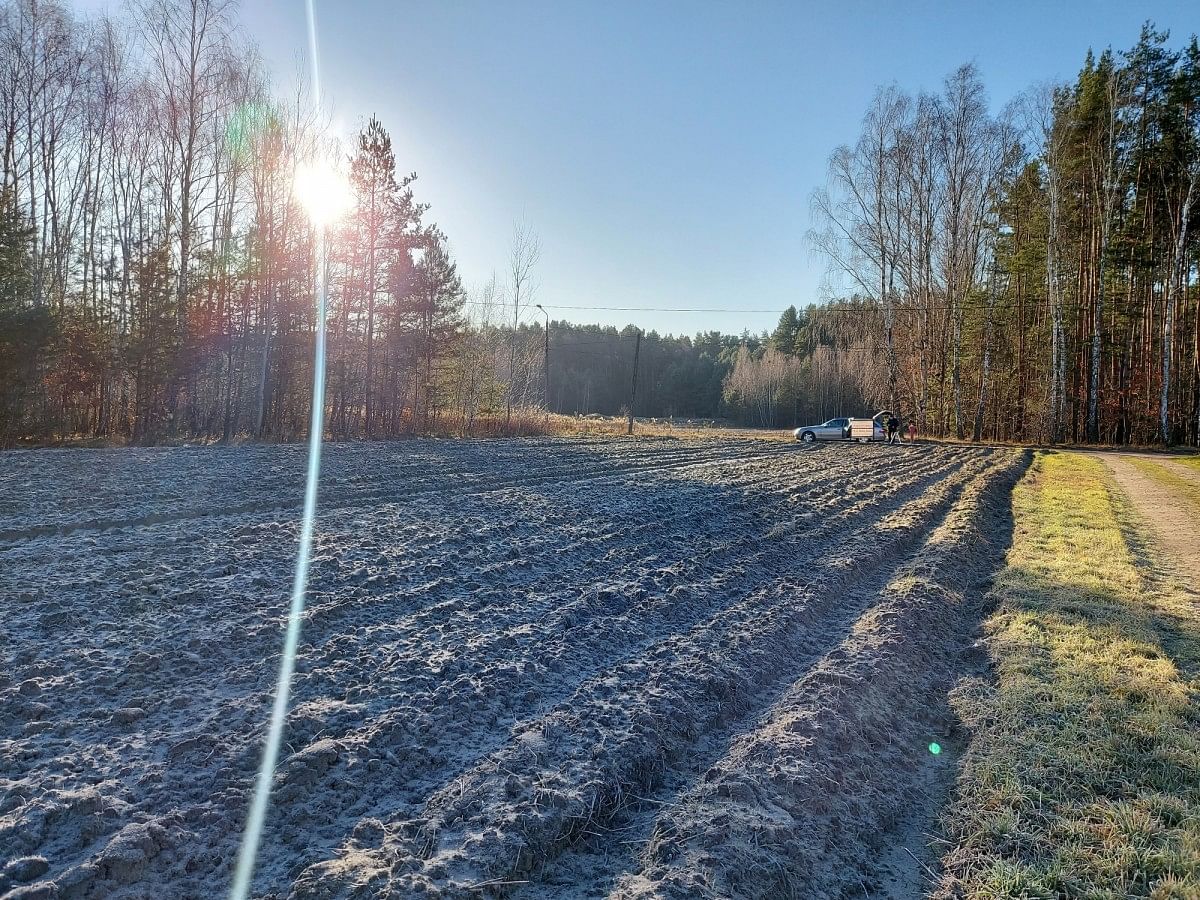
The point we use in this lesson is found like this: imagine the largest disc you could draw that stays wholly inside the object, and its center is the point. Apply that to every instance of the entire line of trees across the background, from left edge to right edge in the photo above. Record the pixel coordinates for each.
(1027, 275)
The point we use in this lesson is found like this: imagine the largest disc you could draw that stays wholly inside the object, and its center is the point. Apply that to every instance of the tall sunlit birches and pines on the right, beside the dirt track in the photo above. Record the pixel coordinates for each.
(1030, 275)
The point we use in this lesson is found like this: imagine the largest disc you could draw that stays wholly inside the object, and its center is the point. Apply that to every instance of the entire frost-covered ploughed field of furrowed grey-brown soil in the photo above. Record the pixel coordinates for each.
(533, 669)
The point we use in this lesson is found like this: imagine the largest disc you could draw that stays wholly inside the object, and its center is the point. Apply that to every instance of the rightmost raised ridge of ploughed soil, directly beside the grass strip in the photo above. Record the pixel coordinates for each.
(823, 796)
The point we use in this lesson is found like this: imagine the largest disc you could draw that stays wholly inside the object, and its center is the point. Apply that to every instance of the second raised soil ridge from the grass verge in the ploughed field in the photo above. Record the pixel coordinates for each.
(579, 764)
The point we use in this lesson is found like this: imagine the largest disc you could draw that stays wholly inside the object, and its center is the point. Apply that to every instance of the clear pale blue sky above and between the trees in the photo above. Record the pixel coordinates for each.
(664, 152)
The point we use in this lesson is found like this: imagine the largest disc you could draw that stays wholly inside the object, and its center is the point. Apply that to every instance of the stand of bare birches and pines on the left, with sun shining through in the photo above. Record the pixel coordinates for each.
(158, 272)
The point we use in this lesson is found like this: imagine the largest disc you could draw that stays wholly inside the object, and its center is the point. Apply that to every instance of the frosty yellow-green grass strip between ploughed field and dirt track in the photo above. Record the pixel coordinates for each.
(1083, 775)
